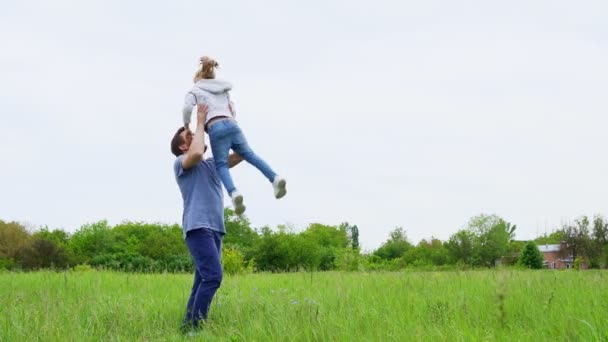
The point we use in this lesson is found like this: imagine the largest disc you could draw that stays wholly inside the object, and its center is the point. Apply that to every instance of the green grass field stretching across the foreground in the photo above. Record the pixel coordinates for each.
(454, 306)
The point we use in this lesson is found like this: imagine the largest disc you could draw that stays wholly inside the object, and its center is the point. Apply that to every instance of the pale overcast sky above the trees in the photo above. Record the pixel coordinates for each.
(419, 114)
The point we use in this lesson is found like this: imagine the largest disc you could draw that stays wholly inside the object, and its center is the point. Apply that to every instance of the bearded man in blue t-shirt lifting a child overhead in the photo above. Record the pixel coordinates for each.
(203, 217)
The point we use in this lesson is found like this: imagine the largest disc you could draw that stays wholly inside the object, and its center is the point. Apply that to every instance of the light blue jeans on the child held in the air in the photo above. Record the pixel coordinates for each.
(224, 135)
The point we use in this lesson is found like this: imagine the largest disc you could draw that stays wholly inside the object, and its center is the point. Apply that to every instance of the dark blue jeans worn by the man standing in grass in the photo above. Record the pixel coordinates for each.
(205, 246)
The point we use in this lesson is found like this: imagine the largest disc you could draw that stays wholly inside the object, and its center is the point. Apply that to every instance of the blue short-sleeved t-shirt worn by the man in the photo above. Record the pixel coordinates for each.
(201, 190)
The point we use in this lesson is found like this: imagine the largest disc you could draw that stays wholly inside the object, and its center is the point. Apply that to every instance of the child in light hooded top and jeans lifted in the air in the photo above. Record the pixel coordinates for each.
(224, 132)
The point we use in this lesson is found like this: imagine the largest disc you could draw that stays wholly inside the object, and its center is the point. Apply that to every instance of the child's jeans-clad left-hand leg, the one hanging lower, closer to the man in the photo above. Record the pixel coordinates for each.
(220, 138)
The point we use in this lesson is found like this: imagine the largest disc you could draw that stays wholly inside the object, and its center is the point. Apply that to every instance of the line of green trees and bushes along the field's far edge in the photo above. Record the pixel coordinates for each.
(486, 241)
